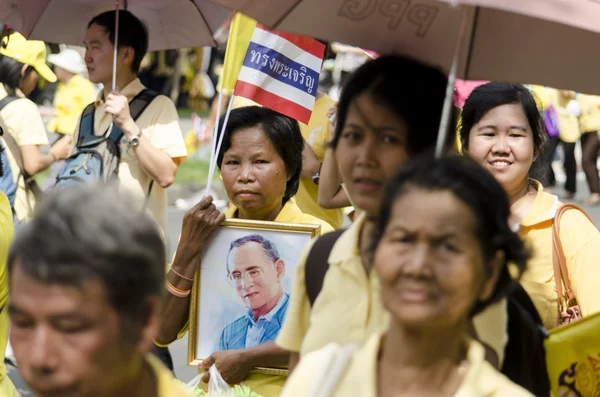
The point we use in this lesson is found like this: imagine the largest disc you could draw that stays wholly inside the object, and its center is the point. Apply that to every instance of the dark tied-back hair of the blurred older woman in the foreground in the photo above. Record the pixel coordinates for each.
(481, 193)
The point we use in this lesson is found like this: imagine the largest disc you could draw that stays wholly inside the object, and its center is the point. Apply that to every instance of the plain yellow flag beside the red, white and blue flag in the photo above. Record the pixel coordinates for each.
(240, 34)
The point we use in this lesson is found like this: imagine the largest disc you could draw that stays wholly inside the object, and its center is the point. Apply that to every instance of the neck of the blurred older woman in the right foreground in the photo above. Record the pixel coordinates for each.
(424, 362)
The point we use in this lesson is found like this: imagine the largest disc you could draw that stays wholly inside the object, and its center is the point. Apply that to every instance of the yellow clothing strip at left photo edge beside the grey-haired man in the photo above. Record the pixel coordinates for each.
(6, 233)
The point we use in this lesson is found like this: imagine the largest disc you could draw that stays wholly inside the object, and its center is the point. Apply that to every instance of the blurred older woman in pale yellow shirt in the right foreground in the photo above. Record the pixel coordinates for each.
(442, 245)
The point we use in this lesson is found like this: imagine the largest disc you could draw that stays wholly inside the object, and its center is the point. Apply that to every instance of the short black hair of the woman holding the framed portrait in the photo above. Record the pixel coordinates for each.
(283, 132)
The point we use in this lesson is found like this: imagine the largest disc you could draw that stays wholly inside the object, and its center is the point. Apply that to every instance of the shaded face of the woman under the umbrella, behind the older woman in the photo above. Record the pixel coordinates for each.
(371, 149)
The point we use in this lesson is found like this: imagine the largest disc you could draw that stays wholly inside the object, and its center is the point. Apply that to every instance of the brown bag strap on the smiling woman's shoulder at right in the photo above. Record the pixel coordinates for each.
(559, 260)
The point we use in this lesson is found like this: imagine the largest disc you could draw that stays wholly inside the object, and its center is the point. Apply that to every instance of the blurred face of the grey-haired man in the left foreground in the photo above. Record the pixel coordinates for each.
(68, 341)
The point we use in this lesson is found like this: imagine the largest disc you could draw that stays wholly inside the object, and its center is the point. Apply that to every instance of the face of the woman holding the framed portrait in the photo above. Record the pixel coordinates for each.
(253, 173)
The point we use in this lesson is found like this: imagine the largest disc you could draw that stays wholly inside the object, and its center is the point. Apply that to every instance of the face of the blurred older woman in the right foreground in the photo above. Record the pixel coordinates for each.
(430, 262)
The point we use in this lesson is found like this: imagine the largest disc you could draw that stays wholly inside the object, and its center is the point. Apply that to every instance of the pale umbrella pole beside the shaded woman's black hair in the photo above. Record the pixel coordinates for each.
(447, 108)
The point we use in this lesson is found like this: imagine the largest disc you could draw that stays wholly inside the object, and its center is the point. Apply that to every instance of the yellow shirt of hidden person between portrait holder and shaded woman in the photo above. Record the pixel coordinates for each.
(317, 135)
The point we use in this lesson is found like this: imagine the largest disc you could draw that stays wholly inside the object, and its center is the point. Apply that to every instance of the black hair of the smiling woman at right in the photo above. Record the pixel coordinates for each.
(491, 95)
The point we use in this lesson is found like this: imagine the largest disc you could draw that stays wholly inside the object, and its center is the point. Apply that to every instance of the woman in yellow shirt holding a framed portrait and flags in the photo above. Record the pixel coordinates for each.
(260, 163)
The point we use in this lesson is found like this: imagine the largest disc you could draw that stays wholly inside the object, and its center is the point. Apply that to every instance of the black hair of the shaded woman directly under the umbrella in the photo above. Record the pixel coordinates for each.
(412, 90)
